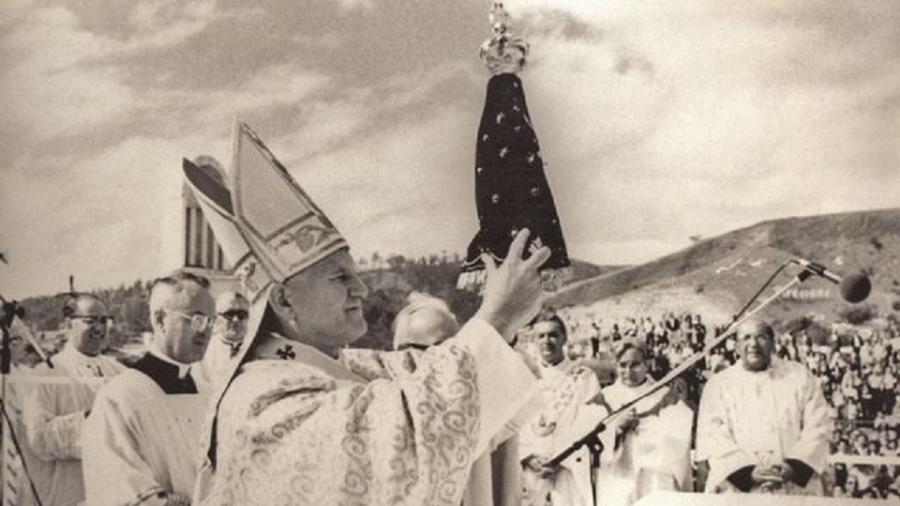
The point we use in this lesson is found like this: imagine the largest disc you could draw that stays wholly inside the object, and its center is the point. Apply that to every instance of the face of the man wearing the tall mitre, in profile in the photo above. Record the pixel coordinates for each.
(326, 303)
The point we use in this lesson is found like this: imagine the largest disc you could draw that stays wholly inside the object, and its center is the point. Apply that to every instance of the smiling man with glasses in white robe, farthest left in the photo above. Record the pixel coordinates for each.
(53, 414)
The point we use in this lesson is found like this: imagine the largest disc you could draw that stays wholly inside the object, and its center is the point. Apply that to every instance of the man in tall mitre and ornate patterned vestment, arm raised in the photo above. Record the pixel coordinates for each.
(297, 424)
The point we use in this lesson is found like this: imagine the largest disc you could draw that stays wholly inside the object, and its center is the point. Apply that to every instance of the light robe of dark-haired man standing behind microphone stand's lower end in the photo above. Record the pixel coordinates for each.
(567, 415)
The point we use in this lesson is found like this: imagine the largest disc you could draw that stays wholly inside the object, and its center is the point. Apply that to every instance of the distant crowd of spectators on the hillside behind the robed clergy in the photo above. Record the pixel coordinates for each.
(858, 368)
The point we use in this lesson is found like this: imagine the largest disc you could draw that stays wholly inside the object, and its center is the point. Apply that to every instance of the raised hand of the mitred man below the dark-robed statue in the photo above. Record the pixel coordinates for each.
(512, 291)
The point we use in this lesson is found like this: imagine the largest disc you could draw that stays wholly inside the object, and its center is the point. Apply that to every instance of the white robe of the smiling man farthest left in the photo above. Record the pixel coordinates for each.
(53, 415)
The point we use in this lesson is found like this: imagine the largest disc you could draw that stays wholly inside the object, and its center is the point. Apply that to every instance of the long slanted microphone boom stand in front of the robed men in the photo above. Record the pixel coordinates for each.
(592, 438)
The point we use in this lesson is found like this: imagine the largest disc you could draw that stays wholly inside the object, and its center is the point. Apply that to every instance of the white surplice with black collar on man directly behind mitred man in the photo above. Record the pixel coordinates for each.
(141, 440)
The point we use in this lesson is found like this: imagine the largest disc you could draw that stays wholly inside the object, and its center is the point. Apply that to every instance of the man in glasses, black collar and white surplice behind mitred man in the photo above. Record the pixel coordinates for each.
(140, 441)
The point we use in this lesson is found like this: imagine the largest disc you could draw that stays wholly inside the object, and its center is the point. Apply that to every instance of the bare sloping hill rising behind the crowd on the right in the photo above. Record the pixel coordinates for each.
(718, 274)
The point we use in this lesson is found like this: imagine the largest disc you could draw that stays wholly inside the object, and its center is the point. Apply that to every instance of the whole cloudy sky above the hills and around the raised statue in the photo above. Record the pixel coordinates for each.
(658, 120)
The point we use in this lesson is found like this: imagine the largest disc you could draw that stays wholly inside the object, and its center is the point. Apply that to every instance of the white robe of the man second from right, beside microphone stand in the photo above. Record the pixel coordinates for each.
(655, 456)
